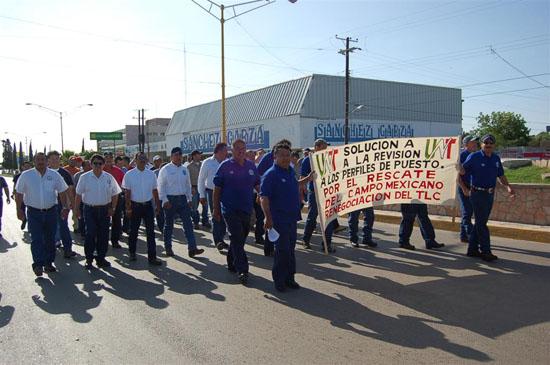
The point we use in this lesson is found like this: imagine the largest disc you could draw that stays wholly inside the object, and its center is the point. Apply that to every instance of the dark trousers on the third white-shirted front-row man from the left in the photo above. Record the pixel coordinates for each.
(145, 212)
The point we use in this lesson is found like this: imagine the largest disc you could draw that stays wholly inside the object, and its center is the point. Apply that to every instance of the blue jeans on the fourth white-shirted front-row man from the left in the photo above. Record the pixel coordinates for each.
(179, 206)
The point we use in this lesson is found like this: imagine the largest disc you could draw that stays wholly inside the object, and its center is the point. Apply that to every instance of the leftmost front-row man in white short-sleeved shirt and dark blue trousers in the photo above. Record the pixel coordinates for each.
(38, 188)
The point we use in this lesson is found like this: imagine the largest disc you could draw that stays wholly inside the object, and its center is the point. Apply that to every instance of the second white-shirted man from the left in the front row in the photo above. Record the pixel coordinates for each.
(98, 190)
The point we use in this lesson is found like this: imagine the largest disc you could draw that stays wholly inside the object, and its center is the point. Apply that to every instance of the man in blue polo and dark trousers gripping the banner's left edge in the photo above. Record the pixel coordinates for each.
(281, 206)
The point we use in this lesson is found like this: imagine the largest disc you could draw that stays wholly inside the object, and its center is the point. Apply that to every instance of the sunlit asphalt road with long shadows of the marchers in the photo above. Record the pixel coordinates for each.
(383, 305)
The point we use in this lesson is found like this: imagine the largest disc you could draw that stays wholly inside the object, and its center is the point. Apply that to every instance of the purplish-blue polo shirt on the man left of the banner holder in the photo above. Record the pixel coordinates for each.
(237, 183)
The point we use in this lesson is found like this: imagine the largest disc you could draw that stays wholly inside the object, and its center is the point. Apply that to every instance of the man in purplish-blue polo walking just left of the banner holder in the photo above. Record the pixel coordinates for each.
(235, 181)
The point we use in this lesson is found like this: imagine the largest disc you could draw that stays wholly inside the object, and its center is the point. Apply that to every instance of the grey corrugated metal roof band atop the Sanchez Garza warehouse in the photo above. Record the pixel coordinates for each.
(323, 97)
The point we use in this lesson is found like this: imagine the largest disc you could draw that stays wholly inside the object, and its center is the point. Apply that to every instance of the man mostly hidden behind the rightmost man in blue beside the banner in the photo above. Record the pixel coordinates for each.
(466, 227)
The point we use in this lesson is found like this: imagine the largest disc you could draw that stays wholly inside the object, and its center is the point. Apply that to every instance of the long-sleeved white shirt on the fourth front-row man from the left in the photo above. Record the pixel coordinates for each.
(174, 180)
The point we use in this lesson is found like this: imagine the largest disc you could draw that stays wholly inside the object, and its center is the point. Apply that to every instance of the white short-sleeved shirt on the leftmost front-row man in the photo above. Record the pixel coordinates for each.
(39, 191)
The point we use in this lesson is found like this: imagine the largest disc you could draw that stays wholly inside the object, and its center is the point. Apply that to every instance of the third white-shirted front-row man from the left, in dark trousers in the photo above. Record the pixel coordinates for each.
(140, 187)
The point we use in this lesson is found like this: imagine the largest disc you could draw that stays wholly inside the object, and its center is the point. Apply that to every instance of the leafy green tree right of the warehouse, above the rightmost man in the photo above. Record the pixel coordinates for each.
(509, 129)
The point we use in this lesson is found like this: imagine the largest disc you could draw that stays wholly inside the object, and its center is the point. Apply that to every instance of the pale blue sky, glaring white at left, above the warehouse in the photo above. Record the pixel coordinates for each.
(165, 55)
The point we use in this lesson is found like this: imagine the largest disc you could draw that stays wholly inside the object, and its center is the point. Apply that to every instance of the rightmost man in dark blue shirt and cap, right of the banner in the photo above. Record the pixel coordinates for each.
(485, 167)
